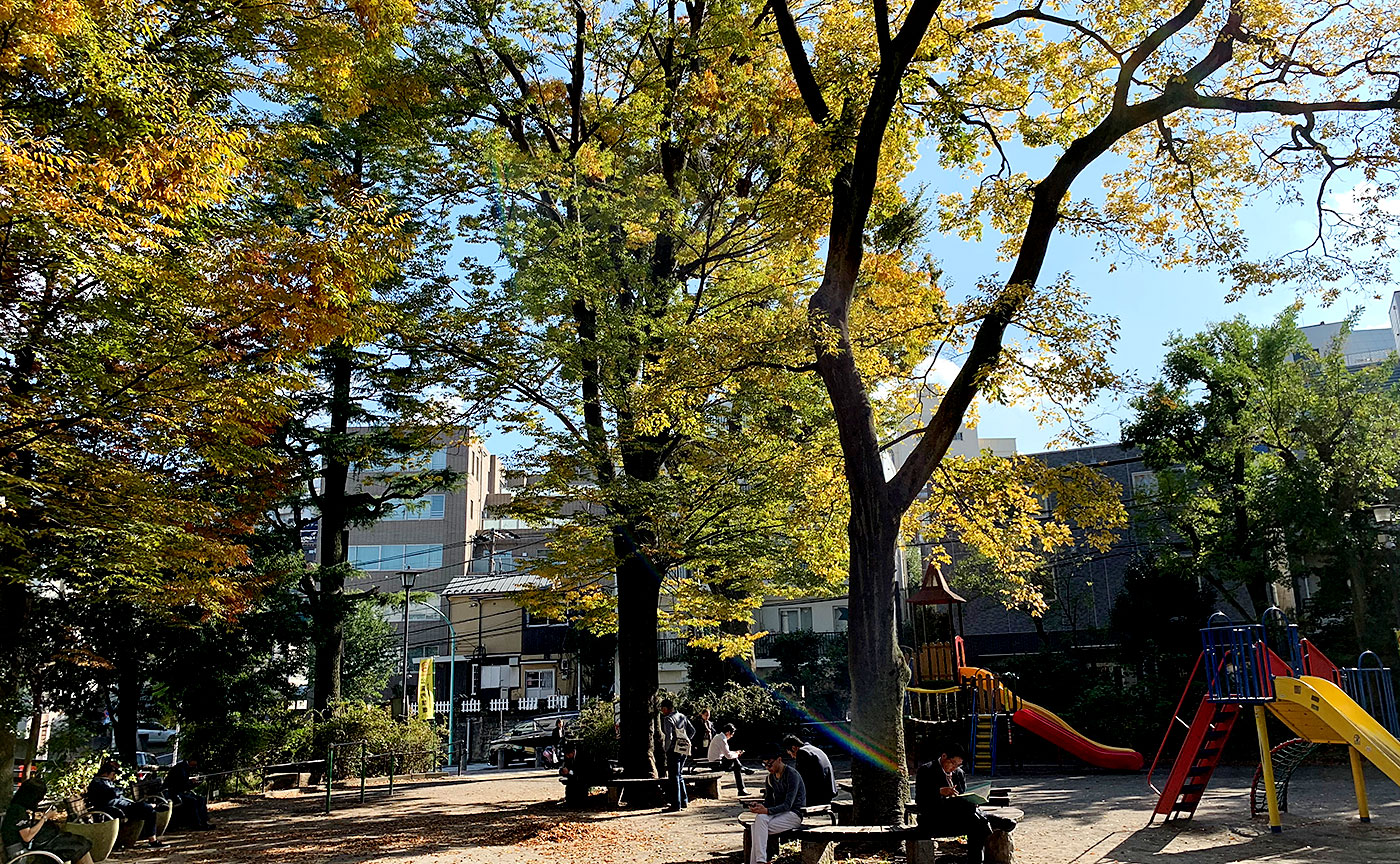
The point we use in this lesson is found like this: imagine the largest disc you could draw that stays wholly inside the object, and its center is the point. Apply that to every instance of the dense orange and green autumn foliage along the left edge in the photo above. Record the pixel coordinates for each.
(146, 309)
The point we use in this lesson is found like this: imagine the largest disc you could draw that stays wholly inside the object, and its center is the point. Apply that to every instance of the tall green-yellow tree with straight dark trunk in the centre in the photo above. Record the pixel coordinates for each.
(650, 198)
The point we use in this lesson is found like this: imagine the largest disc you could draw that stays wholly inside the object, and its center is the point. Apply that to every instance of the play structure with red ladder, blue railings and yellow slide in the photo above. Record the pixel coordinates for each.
(1305, 692)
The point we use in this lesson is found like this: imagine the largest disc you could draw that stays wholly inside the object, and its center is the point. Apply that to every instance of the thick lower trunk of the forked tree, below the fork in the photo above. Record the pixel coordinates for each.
(877, 667)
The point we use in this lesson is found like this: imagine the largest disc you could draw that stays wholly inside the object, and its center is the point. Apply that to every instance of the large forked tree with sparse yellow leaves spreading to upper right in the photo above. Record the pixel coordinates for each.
(1207, 103)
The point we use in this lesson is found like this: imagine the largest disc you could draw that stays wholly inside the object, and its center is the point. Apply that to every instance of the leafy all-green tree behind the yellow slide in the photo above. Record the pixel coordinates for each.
(1269, 456)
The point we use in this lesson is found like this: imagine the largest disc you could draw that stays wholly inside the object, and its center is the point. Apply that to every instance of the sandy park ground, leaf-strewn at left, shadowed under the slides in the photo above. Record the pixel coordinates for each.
(512, 817)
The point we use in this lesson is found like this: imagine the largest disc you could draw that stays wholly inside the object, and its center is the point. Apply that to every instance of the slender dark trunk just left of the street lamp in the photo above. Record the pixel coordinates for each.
(328, 601)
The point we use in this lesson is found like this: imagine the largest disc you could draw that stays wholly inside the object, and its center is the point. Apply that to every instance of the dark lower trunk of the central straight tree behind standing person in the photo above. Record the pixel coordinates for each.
(639, 600)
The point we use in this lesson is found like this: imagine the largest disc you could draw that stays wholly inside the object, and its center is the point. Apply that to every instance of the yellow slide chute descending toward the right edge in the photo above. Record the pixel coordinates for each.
(1321, 712)
